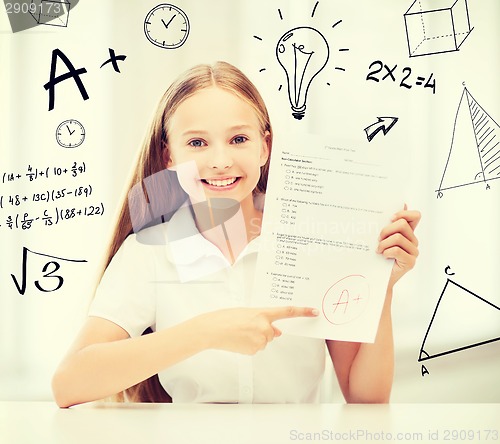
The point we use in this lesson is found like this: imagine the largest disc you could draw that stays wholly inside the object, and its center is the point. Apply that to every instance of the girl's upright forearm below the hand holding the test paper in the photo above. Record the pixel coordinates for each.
(372, 370)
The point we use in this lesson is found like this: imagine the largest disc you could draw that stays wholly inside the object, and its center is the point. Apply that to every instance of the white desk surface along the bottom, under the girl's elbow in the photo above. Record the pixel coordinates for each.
(44, 422)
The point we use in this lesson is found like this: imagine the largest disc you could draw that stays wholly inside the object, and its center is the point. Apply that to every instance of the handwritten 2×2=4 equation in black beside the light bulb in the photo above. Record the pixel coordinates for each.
(379, 71)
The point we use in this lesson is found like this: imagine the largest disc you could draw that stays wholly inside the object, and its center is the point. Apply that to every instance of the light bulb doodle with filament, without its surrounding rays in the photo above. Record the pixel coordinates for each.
(302, 52)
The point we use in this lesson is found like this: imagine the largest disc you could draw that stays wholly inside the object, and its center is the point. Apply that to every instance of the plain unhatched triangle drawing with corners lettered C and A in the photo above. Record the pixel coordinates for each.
(461, 320)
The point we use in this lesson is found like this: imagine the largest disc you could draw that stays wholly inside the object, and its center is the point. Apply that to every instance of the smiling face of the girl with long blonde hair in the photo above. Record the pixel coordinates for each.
(220, 133)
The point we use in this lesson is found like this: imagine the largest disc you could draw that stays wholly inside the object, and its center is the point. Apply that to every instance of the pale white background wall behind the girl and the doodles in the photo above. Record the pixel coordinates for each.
(460, 230)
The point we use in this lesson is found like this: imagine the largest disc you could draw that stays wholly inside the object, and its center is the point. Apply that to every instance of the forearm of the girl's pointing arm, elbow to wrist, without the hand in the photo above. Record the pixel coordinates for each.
(103, 369)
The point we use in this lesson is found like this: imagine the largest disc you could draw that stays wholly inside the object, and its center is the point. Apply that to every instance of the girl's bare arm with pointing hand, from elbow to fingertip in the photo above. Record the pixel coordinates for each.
(102, 363)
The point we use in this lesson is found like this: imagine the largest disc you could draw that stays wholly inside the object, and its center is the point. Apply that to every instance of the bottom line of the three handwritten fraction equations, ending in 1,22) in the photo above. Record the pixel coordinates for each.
(57, 215)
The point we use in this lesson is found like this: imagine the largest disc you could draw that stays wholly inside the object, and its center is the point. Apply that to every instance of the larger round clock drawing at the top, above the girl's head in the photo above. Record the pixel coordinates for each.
(166, 26)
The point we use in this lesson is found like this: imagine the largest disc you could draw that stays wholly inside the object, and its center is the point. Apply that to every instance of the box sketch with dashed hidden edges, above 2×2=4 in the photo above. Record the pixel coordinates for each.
(436, 26)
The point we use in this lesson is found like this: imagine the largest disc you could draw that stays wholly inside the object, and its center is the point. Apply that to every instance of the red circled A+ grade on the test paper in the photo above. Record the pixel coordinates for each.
(346, 300)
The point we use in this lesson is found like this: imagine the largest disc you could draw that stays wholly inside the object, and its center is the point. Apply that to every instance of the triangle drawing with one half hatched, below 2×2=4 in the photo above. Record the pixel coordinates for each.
(474, 155)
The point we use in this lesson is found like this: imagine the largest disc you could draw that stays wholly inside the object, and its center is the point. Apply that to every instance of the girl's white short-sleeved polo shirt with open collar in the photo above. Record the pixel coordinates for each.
(141, 288)
